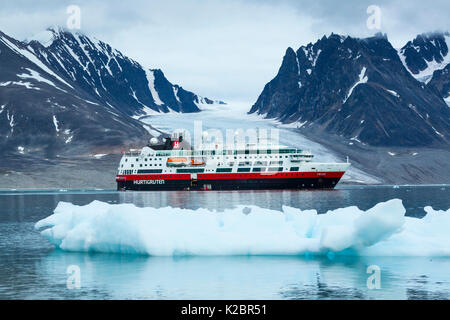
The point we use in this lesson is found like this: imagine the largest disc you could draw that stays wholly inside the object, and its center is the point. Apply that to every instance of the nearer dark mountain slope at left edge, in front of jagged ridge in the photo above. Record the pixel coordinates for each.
(40, 112)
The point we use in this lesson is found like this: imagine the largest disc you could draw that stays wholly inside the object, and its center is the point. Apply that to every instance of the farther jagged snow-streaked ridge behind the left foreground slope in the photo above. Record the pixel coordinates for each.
(110, 77)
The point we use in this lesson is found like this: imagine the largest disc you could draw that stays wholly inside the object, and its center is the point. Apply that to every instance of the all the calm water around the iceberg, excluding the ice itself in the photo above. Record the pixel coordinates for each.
(30, 268)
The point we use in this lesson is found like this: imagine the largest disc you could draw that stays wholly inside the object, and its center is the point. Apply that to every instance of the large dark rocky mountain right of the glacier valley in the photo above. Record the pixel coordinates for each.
(358, 89)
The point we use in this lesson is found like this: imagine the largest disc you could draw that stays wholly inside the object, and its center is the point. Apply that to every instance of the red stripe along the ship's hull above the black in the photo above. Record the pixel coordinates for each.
(231, 176)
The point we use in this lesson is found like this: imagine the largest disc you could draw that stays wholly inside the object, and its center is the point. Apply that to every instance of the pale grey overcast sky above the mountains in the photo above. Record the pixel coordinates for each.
(222, 49)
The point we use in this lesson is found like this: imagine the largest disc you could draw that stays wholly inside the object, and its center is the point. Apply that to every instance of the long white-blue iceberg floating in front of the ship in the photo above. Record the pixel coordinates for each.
(383, 230)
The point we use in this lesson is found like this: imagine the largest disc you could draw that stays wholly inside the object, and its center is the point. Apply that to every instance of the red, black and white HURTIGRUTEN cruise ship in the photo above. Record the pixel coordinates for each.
(174, 165)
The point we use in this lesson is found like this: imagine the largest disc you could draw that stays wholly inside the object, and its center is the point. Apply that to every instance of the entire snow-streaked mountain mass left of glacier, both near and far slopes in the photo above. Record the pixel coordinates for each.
(65, 91)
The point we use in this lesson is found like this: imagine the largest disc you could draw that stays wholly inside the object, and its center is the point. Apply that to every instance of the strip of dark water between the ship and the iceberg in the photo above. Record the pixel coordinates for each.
(35, 206)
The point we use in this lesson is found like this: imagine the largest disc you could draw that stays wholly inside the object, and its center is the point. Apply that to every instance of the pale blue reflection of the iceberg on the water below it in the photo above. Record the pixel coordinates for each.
(106, 276)
